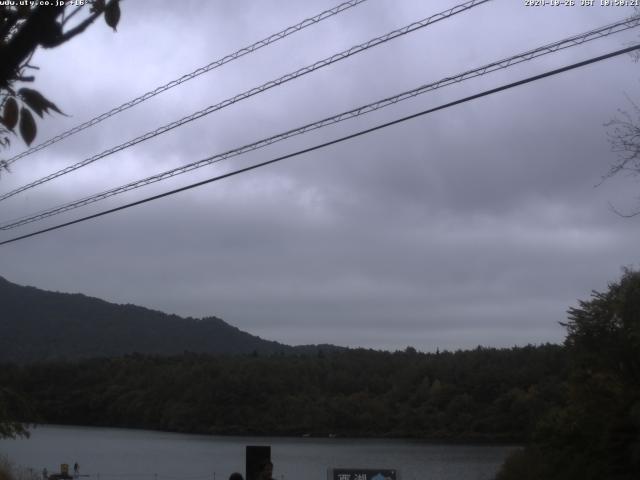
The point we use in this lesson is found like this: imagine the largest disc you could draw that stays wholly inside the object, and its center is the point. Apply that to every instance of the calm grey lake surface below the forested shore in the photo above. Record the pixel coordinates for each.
(119, 454)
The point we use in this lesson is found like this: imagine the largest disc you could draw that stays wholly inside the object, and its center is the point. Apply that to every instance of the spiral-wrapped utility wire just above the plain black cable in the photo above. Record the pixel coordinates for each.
(491, 67)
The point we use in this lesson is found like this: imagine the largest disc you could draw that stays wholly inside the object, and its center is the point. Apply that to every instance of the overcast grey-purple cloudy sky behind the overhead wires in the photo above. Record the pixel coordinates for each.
(478, 224)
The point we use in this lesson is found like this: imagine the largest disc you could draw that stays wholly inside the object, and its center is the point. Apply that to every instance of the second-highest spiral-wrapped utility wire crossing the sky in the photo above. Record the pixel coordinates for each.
(254, 91)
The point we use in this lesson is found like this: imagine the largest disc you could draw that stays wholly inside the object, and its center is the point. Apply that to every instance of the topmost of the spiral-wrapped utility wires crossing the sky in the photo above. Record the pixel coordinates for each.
(185, 78)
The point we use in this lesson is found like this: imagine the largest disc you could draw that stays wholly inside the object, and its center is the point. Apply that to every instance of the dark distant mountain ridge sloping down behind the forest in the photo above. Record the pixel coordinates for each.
(39, 325)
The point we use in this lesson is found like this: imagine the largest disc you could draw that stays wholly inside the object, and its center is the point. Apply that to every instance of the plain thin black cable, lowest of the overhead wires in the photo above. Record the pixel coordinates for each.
(332, 142)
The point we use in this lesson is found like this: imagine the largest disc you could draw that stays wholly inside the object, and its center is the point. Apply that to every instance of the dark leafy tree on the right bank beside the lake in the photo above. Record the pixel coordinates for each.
(597, 433)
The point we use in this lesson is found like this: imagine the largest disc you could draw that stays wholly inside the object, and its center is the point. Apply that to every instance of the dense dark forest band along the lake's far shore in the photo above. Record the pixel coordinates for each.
(482, 394)
